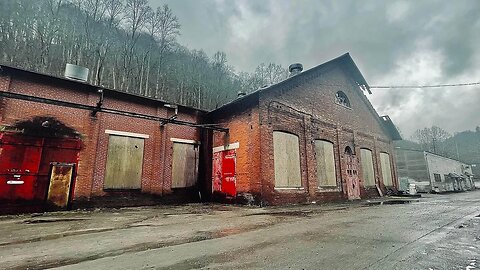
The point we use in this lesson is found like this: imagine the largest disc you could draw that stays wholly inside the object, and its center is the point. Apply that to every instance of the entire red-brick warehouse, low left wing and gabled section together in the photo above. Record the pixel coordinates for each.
(312, 137)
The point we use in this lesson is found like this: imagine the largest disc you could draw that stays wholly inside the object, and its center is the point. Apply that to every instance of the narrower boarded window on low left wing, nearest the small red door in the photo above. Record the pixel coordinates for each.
(184, 165)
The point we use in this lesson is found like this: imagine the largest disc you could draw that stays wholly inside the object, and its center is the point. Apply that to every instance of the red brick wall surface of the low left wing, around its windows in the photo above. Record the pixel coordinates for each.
(156, 174)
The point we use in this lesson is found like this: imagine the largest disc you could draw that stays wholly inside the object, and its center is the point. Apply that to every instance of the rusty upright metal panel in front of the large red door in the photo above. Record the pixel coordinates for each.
(60, 184)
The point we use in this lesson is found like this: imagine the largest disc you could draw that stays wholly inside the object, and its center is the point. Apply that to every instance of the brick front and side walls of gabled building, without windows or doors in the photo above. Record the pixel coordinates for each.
(306, 108)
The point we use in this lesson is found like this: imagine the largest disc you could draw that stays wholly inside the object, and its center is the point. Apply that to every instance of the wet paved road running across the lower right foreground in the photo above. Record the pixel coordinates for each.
(438, 232)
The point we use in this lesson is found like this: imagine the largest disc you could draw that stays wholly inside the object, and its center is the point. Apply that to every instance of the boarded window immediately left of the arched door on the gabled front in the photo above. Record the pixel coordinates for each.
(325, 164)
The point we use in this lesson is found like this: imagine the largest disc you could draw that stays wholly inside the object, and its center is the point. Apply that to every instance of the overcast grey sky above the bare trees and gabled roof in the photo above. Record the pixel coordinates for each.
(392, 42)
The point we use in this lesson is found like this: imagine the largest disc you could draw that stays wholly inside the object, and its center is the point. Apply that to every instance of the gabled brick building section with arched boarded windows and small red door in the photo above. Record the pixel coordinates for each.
(312, 137)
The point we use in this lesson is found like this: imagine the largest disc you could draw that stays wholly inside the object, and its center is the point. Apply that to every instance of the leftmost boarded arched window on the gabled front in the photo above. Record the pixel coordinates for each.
(286, 159)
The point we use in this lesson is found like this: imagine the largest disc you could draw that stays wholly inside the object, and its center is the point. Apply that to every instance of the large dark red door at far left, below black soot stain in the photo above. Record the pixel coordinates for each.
(25, 164)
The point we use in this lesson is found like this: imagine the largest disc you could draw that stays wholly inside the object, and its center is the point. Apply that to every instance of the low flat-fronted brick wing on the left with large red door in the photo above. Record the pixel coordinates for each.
(95, 128)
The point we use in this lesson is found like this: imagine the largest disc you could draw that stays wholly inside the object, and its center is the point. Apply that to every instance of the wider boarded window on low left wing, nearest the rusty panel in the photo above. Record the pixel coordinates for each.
(124, 163)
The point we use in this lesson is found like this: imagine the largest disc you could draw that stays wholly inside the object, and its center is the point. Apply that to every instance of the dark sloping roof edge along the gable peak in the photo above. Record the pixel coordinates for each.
(344, 59)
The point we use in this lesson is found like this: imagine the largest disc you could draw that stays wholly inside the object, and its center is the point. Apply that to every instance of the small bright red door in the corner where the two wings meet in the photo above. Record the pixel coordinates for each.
(224, 175)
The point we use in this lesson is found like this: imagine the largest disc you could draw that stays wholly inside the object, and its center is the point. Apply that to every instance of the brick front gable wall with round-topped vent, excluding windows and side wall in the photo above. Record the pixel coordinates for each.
(309, 111)
